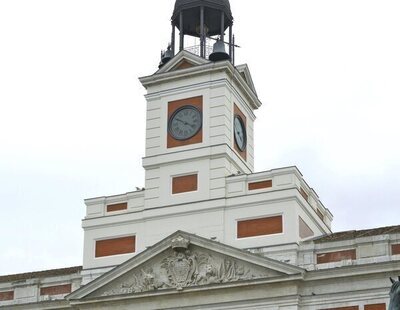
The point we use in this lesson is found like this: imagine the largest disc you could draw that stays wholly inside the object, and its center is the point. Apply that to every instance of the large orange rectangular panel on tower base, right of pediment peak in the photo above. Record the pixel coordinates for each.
(260, 227)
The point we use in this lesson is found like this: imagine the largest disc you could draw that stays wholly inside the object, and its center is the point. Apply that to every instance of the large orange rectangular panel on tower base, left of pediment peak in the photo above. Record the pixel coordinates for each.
(116, 246)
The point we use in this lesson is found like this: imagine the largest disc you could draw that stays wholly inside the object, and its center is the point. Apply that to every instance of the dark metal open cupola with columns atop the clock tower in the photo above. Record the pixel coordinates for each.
(207, 20)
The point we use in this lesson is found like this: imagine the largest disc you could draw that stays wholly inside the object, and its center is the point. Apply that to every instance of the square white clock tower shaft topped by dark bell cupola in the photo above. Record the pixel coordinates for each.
(199, 110)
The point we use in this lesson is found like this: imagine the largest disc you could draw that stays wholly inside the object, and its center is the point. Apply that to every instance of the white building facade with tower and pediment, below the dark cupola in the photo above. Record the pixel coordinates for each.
(187, 249)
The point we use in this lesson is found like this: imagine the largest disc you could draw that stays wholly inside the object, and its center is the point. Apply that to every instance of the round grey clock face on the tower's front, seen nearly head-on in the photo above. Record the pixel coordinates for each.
(185, 122)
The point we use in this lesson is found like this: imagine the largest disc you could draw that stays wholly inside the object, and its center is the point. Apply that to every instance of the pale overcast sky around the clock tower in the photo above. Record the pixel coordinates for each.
(72, 109)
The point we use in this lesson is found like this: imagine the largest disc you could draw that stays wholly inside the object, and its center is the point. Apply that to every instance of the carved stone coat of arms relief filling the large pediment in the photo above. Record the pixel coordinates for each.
(185, 265)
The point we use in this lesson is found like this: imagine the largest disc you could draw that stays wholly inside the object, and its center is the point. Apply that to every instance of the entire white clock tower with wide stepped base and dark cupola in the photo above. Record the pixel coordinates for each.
(199, 161)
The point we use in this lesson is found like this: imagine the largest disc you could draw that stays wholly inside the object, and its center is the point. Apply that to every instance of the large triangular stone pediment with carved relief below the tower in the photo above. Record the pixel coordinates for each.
(184, 261)
